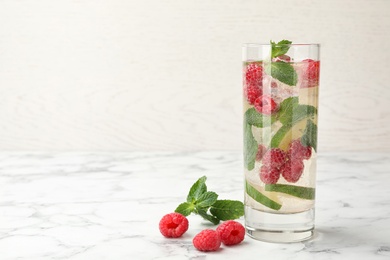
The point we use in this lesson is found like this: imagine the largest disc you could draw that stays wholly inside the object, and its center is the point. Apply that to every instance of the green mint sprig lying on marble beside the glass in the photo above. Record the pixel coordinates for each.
(206, 204)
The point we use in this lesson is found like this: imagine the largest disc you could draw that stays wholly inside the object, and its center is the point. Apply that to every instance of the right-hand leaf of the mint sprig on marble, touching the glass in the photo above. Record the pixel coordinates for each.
(227, 209)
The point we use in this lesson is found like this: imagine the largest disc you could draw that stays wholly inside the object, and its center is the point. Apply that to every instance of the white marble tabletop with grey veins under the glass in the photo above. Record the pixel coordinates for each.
(107, 206)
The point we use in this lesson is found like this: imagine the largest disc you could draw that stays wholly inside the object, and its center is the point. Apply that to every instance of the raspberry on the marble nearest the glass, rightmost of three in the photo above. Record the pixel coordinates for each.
(231, 232)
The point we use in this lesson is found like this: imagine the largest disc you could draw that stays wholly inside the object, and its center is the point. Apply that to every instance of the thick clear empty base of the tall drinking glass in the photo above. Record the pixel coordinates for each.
(279, 228)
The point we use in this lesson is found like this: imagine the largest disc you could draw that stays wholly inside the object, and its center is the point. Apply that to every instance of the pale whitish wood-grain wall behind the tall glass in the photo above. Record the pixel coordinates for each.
(149, 75)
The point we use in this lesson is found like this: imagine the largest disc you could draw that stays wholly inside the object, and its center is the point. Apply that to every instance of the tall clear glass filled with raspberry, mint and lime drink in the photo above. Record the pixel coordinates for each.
(280, 86)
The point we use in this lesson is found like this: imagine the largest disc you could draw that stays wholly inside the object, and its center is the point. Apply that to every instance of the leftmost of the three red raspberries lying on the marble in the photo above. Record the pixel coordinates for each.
(173, 225)
